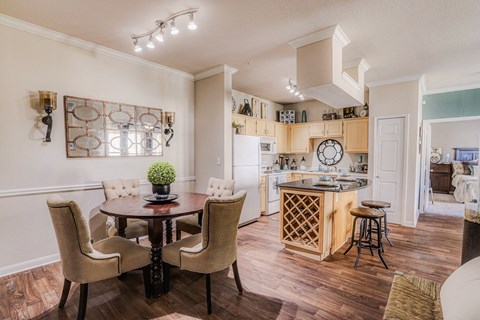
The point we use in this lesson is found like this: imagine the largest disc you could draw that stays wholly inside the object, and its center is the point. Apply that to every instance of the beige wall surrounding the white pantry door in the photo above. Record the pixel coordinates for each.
(397, 100)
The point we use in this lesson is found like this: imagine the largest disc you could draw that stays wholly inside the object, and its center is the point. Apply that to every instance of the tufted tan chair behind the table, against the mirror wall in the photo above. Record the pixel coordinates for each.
(103, 226)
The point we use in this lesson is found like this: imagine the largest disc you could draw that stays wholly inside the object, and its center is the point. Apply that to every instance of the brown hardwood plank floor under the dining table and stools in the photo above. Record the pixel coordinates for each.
(277, 284)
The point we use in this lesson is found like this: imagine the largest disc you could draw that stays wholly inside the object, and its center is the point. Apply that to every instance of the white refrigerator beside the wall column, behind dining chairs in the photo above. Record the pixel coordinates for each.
(246, 173)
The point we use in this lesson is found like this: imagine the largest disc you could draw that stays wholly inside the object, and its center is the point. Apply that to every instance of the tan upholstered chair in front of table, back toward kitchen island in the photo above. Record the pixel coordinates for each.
(215, 248)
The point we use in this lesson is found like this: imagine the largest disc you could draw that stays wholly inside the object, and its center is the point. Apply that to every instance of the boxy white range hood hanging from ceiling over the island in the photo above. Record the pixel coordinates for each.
(320, 72)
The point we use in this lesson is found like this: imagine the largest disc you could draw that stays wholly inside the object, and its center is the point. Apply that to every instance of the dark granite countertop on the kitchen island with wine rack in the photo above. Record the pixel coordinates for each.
(338, 185)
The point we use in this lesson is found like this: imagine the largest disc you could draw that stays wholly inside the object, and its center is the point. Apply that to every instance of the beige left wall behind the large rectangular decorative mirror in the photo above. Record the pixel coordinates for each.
(29, 63)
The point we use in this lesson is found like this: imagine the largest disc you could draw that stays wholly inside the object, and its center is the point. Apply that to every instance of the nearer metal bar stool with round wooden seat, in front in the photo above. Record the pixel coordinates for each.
(364, 240)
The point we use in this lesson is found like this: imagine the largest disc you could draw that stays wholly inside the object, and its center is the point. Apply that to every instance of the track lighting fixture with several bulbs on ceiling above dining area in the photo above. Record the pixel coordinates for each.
(162, 24)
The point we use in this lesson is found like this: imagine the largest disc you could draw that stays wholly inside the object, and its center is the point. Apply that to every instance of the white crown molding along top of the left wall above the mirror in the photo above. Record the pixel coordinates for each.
(79, 43)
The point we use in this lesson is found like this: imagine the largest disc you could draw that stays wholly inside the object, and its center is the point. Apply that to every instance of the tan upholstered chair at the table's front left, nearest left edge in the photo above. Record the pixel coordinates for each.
(83, 262)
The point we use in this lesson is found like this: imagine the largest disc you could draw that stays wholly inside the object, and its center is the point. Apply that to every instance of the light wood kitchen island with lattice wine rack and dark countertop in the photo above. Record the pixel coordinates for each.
(315, 218)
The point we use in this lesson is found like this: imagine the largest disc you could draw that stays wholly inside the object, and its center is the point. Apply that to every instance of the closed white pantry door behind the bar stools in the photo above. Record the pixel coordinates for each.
(389, 165)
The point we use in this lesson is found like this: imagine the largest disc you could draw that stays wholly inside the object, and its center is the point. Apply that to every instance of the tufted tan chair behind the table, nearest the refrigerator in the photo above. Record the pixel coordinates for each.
(216, 188)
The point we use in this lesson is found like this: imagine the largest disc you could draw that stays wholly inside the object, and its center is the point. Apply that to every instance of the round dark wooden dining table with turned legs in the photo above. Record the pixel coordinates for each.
(155, 213)
